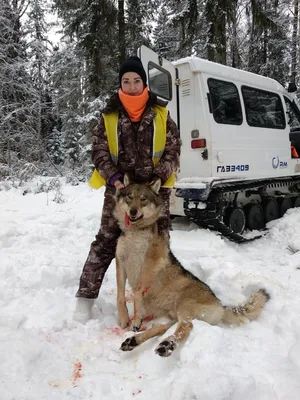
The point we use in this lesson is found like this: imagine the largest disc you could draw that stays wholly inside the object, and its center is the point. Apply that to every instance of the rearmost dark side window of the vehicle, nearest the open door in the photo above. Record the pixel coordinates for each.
(225, 102)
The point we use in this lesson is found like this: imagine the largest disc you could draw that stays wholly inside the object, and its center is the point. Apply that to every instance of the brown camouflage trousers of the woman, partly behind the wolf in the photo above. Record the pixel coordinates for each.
(103, 249)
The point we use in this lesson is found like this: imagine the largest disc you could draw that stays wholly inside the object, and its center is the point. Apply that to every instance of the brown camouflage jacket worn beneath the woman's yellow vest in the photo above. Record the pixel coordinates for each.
(135, 142)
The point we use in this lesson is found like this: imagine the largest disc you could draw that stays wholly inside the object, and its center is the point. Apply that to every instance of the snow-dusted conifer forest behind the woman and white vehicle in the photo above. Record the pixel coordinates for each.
(59, 61)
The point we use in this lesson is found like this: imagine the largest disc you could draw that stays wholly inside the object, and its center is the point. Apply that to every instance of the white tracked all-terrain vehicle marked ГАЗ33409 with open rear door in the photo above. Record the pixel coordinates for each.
(240, 132)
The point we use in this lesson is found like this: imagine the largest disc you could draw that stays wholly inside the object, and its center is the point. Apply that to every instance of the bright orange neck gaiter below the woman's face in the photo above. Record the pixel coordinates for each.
(134, 105)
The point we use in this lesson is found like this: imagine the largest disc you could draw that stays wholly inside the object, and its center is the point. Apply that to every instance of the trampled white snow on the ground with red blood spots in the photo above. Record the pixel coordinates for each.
(46, 355)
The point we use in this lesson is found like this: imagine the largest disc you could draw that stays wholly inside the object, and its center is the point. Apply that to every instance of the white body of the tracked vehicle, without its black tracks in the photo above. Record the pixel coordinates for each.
(238, 151)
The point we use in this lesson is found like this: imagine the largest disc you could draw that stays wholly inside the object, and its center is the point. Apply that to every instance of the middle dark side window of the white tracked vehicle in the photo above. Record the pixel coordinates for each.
(263, 109)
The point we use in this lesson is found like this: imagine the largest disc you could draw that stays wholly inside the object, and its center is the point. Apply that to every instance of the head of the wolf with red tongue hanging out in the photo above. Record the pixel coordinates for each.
(138, 205)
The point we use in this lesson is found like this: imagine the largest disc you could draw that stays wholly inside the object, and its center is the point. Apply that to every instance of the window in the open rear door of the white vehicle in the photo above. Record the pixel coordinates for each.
(160, 81)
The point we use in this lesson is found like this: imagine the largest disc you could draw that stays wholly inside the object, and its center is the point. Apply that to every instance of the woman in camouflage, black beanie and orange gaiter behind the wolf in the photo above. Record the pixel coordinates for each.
(135, 130)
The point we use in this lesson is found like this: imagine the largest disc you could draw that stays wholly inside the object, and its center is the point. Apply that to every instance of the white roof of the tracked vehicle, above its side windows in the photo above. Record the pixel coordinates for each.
(233, 74)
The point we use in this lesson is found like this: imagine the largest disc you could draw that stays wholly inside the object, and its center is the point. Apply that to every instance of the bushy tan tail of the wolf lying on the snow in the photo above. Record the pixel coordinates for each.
(250, 310)
